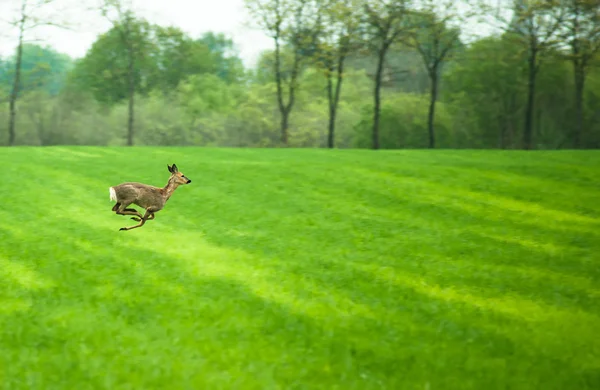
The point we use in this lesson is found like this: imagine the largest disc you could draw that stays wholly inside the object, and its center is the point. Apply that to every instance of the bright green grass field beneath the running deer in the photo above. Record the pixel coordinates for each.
(301, 269)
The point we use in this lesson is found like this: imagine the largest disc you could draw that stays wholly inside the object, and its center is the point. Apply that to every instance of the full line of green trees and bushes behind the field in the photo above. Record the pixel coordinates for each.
(342, 73)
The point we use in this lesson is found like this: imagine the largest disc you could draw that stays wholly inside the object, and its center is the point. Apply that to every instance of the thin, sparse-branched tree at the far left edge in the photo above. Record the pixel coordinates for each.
(31, 15)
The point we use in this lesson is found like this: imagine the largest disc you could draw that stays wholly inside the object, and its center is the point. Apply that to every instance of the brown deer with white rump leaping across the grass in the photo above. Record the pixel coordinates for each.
(151, 198)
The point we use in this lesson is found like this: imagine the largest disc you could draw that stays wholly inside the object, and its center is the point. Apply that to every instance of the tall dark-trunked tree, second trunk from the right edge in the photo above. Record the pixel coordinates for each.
(535, 26)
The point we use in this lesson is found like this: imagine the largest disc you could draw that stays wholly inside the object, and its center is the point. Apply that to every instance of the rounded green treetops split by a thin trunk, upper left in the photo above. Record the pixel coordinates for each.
(164, 57)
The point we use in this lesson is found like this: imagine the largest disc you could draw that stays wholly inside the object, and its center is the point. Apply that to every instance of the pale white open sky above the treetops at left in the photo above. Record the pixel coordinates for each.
(192, 16)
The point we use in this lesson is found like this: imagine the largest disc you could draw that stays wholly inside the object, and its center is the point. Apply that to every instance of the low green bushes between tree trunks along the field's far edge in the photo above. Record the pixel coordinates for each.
(481, 100)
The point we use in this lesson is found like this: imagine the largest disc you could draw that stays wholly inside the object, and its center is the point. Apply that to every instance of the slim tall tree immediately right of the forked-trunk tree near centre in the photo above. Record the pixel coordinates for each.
(338, 39)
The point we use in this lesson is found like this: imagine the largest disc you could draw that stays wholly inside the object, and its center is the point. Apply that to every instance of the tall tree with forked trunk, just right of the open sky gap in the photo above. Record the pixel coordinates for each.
(293, 25)
